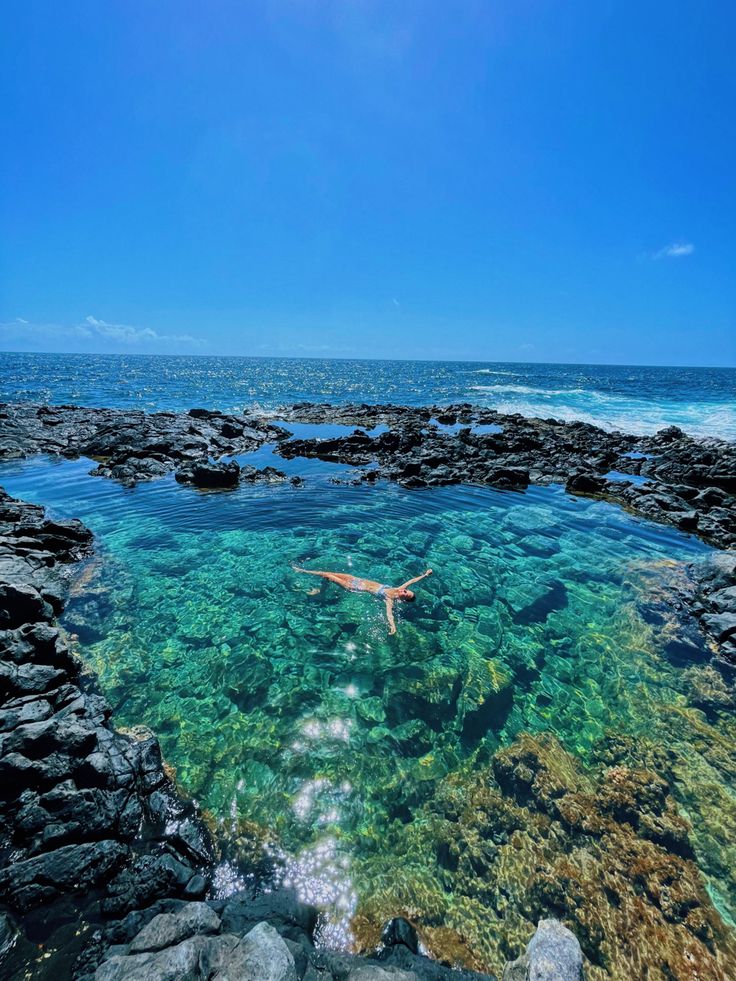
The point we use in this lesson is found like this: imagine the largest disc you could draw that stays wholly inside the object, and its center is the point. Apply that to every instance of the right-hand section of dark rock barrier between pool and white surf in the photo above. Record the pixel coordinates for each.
(689, 483)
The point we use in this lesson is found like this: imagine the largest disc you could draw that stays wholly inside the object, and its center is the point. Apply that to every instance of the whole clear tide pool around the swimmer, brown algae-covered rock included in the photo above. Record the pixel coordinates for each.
(545, 734)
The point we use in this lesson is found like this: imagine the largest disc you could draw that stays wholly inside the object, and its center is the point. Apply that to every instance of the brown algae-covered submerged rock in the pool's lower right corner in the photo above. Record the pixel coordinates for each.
(603, 850)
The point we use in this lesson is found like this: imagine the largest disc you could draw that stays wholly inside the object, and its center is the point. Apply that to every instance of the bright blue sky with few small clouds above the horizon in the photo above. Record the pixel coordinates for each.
(476, 179)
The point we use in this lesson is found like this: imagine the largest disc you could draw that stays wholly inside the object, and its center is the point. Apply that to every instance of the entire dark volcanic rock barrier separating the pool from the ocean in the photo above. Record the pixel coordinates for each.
(691, 482)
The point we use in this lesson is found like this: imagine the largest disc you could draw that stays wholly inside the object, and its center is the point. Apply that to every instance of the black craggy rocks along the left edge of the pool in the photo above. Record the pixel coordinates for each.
(83, 808)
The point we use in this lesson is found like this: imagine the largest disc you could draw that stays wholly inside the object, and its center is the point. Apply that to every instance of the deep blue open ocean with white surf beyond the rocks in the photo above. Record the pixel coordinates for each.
(631, 398)
